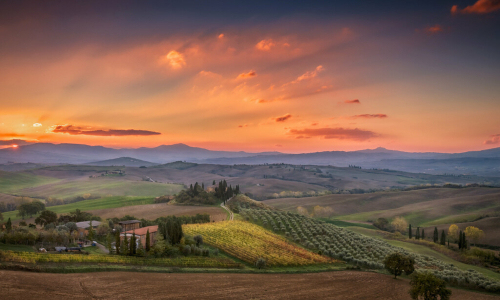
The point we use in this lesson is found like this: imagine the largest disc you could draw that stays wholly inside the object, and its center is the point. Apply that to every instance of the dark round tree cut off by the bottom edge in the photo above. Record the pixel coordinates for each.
(427, 286)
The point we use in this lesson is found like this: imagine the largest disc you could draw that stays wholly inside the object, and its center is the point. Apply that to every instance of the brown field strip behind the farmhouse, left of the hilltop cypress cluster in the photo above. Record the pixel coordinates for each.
(153, 211)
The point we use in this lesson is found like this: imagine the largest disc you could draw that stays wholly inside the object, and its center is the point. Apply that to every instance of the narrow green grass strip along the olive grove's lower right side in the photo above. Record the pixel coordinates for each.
(426, 251)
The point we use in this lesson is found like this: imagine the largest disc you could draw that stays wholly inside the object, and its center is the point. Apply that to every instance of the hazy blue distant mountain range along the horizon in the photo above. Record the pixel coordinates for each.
(484, 163)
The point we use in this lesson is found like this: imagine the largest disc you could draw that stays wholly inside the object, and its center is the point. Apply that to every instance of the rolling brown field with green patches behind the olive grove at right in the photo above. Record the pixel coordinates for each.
(419, 206)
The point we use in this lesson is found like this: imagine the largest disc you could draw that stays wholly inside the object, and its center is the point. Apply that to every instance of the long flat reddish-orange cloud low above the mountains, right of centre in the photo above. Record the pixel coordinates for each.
(334, 133)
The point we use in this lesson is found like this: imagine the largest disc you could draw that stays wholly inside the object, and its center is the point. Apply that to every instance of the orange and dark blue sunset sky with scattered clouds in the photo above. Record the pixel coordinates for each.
(288, 76)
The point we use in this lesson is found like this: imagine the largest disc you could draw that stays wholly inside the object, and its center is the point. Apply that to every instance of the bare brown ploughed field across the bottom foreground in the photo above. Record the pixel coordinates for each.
(127, 285)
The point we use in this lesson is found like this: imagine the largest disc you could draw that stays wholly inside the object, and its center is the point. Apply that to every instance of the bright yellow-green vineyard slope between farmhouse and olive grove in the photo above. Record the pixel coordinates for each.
(248, 242)
